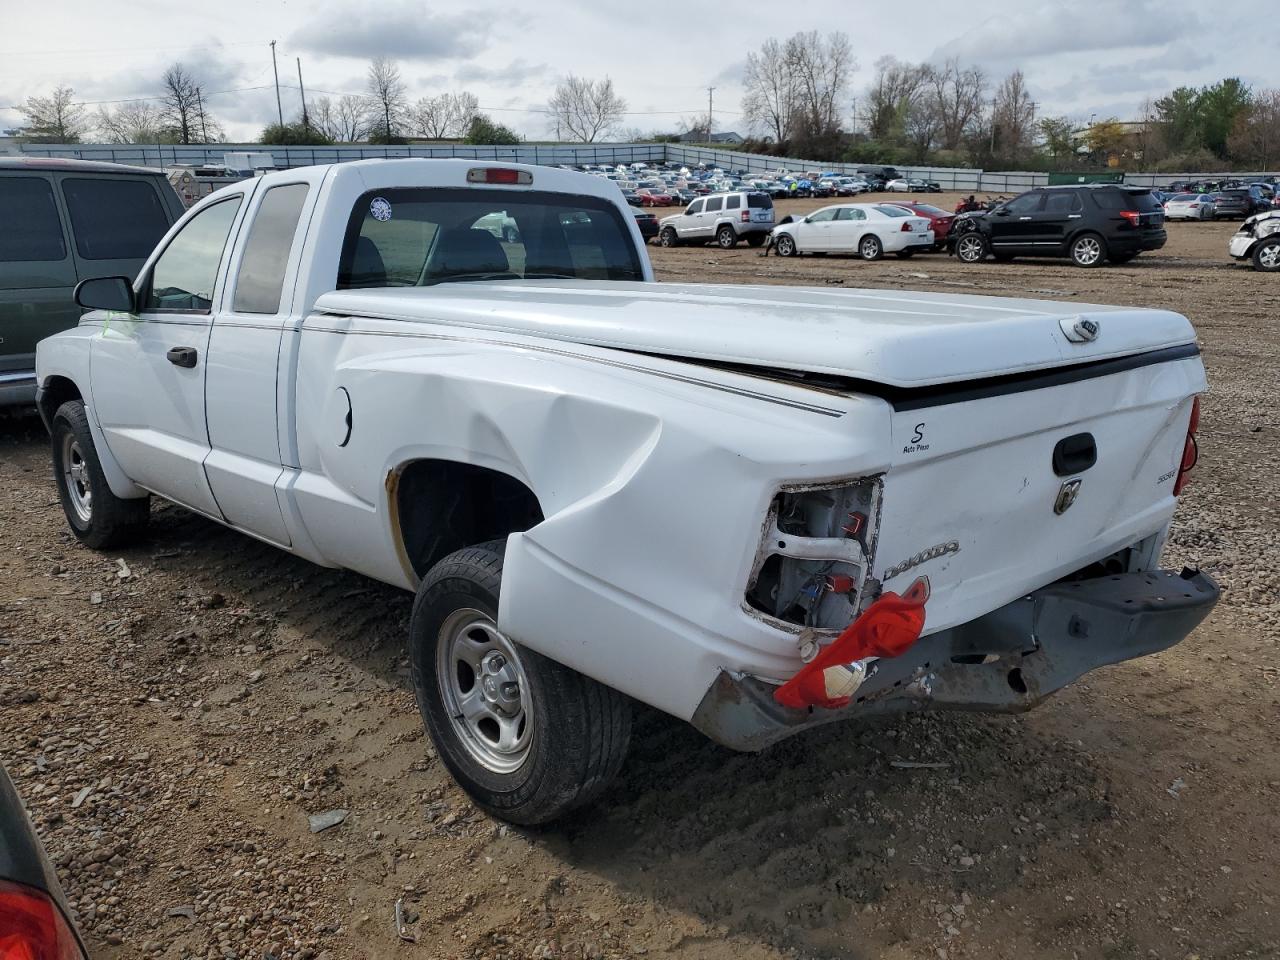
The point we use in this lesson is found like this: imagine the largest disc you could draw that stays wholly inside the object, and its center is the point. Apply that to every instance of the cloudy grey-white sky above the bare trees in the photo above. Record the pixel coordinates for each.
(1089, 57)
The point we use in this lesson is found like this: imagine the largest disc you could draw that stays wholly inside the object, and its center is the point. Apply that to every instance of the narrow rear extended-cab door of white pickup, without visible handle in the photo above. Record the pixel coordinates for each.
(249, 374)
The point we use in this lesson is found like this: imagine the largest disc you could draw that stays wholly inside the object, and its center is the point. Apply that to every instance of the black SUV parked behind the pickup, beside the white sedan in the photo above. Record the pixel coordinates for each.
(1091, 225)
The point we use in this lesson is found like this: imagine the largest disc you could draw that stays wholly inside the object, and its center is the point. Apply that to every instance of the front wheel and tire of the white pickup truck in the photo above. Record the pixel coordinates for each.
(97, 516)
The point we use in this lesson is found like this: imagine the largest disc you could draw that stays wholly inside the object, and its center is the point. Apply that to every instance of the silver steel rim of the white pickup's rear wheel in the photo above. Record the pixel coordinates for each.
(486, 692)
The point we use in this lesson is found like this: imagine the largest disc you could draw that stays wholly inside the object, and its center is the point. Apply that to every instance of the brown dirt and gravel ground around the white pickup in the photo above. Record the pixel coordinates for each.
(175, 712)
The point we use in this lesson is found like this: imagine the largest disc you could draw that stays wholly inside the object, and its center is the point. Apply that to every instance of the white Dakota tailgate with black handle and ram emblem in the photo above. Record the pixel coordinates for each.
(971, 496)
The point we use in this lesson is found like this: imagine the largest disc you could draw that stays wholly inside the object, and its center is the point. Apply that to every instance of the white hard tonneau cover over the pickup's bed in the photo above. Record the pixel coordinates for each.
(888, 337)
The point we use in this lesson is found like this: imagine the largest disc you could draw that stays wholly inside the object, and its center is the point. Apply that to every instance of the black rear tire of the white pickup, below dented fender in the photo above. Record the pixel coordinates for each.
(578, 729)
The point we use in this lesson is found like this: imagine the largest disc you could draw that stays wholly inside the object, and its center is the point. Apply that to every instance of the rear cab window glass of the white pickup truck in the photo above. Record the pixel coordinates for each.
(419, 237)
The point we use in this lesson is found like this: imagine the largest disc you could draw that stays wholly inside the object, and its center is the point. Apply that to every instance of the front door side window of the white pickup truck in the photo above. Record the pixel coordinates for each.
(182, 280)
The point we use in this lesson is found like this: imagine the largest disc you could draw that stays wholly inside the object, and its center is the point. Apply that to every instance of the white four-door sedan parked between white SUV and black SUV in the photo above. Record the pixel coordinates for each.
(867, 230)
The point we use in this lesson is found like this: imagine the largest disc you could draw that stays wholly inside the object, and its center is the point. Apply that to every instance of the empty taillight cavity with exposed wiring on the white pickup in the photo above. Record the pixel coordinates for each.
(812, 564)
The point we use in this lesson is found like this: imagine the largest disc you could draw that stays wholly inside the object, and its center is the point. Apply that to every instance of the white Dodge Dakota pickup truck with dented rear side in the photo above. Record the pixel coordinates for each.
(605, 488)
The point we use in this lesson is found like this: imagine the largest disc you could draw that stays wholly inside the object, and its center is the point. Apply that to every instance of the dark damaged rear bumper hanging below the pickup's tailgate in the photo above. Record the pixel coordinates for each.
(1007, 661)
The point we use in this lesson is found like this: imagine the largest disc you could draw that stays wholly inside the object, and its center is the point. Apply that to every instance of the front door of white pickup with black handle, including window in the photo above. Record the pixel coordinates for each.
(148, 374)
